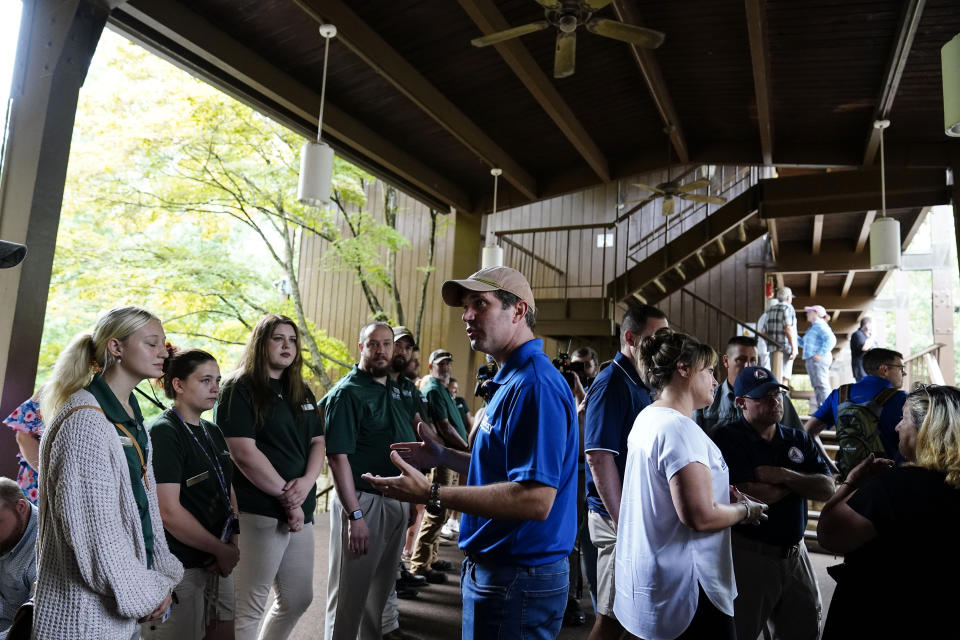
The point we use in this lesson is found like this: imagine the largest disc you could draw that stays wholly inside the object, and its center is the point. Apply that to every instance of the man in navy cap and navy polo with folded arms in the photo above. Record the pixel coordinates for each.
(781, 466)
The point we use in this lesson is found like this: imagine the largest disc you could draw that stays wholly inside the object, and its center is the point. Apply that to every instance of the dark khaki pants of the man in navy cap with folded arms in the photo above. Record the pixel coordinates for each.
(780, 593)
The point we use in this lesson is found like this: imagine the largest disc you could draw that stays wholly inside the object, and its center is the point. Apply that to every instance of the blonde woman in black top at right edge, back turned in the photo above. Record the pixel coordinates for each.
(898, 527)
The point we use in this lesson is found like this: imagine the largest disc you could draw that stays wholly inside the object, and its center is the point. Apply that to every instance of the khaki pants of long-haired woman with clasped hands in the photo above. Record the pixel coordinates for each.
(272, 556)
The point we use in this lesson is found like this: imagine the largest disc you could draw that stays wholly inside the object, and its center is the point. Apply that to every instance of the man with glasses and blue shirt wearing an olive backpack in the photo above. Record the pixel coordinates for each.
(865, 413)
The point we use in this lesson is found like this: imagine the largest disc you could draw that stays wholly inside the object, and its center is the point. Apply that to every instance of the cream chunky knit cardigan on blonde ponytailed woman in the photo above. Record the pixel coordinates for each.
(92, 577)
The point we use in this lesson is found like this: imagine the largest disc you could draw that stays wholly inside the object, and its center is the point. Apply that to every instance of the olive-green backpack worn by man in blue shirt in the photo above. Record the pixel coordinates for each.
(858, 428)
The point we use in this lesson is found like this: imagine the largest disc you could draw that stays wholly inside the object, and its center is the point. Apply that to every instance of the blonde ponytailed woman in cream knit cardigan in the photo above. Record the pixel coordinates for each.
(103, 564)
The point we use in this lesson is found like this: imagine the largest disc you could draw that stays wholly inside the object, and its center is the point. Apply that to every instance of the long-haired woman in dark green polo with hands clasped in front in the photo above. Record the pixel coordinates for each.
(273, 429)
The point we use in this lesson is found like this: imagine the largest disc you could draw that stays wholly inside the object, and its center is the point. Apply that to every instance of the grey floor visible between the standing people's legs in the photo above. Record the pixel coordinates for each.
(435, 614)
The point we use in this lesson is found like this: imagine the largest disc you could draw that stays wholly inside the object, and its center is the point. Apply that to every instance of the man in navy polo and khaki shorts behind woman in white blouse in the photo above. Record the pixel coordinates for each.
(615, 398)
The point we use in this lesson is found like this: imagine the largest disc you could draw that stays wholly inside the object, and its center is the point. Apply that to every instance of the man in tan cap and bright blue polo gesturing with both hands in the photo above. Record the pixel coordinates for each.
(519, 505)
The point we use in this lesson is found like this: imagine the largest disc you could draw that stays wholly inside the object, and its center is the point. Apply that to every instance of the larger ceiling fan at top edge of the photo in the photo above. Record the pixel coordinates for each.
(567, 16)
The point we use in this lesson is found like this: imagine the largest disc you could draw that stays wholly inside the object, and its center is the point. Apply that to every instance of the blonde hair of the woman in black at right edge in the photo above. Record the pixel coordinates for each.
(935, 410)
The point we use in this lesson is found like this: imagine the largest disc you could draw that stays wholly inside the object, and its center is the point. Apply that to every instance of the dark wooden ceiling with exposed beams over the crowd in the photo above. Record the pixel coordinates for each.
(736, 82)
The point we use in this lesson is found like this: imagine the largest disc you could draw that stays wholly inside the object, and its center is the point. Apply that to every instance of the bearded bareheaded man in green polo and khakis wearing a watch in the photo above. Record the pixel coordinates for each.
(366, 529)
